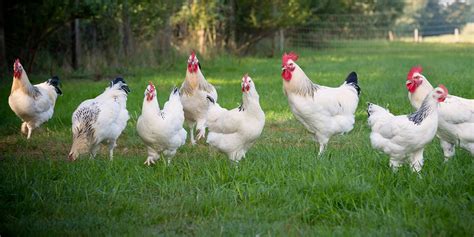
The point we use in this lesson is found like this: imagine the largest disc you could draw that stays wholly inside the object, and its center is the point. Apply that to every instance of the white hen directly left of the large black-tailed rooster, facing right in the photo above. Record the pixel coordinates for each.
(235, 131)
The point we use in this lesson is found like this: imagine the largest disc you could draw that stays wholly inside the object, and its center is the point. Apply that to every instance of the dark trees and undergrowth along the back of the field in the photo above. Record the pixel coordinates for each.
(90, 35)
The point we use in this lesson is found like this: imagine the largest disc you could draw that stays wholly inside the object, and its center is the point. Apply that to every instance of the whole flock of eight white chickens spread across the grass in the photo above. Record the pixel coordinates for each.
(324, 111)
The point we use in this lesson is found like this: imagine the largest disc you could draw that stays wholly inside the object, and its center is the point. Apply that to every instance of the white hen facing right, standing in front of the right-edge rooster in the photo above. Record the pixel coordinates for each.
(405, 136)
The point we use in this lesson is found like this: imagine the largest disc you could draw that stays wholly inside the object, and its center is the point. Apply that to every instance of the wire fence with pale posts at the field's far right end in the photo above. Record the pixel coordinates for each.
(336, 30)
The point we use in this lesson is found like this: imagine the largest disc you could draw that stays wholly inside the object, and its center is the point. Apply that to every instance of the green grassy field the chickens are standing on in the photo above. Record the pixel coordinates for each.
(281, 188)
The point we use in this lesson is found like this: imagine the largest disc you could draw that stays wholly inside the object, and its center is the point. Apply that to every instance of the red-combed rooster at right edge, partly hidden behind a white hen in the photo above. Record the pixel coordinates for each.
(456, 114)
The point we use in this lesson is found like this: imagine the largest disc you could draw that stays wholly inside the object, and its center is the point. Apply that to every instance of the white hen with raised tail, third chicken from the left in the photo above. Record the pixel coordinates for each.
(161, 130)
